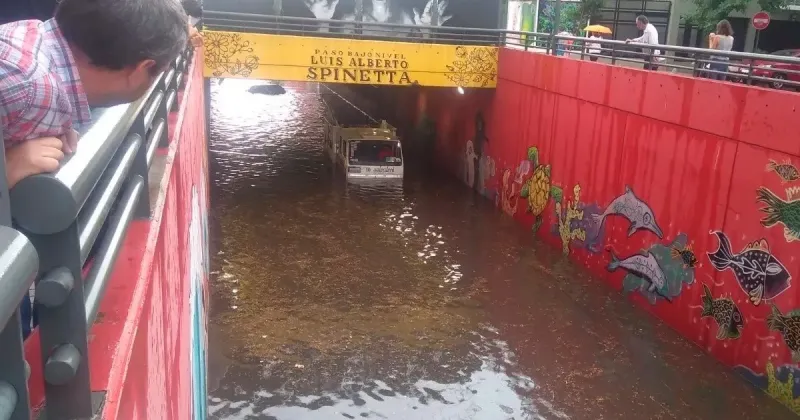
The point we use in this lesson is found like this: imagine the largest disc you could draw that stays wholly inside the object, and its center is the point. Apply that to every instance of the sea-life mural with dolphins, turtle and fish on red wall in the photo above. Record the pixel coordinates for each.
(713, 254)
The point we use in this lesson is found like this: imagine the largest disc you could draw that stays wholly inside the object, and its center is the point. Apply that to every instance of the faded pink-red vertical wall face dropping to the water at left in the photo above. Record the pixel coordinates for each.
(158, 381)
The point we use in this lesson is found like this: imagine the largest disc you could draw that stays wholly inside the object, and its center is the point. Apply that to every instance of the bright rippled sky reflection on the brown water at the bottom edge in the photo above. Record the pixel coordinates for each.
(377, 381)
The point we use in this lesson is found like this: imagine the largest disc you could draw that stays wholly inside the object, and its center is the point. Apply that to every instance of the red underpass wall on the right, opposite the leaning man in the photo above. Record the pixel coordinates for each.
(694, 152)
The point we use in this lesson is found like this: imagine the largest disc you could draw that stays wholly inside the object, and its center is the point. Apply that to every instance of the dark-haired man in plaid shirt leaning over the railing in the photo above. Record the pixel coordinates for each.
(91, 54)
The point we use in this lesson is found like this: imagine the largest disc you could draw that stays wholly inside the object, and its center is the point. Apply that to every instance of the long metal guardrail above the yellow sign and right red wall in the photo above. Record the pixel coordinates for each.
(736, 66)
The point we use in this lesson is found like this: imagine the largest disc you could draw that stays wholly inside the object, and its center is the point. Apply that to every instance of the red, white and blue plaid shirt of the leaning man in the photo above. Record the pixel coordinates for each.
(41, 94)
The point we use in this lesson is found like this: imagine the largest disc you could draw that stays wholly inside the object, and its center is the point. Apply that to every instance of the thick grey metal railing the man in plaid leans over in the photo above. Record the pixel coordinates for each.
(69, 223)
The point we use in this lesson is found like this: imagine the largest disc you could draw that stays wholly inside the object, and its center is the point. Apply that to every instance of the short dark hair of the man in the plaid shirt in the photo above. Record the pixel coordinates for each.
(117, 34)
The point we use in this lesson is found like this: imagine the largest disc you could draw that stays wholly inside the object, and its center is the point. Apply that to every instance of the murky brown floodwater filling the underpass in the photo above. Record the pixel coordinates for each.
(417, 301)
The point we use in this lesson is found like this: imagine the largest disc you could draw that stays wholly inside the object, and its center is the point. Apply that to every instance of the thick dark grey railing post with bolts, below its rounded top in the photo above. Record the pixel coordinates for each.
(63, 332)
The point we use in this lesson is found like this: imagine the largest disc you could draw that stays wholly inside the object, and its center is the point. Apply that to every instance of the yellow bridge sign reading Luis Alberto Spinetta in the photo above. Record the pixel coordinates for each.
(337, 60)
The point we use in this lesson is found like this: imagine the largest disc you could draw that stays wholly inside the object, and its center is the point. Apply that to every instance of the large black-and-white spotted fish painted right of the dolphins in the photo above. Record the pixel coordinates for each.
(758, 272)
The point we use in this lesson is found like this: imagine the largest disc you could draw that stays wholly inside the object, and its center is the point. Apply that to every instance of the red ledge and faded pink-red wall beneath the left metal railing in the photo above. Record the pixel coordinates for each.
(139, 347)
